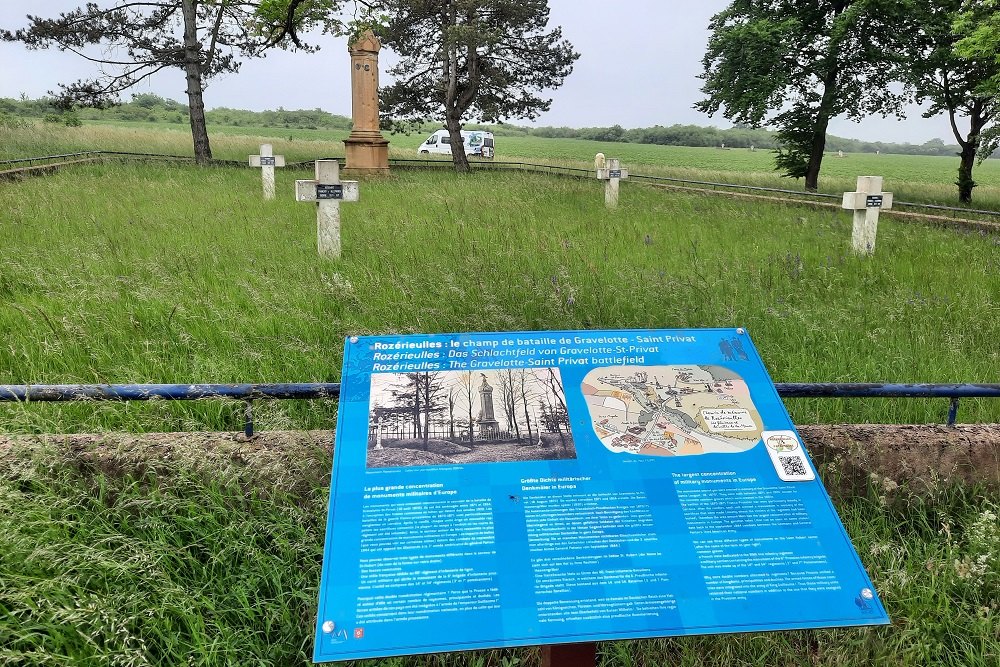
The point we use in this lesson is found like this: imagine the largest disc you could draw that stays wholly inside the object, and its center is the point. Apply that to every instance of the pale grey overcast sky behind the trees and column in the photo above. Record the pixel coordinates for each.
(639, 64)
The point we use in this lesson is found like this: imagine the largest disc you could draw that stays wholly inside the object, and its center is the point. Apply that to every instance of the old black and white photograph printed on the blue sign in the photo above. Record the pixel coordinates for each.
(480, 416)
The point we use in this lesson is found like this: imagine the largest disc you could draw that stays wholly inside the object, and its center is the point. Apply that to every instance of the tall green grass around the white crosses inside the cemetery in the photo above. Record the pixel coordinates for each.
(116, 273)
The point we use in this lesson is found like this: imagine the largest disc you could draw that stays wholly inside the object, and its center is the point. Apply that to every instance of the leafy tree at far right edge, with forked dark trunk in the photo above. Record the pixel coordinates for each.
(953, 83)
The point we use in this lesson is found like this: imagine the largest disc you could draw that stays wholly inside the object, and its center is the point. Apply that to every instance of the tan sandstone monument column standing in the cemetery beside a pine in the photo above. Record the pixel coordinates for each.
(367, 149)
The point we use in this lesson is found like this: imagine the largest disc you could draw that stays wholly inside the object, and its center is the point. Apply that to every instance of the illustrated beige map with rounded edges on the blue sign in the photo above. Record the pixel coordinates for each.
(671, 410)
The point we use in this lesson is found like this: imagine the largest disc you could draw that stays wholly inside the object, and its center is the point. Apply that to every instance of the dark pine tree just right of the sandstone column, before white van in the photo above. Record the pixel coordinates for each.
(488, 59)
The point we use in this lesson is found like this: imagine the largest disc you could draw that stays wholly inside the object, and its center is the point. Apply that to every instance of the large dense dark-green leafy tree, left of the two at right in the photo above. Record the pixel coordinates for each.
(798, 65)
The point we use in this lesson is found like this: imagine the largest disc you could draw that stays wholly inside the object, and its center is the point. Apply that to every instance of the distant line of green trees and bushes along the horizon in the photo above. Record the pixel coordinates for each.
(147, 107)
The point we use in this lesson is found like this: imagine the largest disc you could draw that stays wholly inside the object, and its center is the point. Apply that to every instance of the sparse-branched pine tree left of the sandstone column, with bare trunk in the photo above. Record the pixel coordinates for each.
(203, 38)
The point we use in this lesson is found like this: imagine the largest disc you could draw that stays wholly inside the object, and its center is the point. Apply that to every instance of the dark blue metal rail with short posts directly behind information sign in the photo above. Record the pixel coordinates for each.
(45, 393)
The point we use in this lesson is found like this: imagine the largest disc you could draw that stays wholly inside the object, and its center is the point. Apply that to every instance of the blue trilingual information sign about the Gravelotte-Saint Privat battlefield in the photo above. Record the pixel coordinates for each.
(511, 489)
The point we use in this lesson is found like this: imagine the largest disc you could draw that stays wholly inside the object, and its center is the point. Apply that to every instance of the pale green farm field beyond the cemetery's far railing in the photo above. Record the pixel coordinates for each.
(910, 178)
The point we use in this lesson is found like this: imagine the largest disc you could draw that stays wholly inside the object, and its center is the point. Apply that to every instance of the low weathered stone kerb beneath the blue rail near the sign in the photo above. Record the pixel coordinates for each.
(847, 454)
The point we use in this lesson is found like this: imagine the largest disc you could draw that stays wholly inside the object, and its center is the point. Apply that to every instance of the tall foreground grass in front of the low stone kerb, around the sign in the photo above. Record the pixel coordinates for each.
(157, 565)
